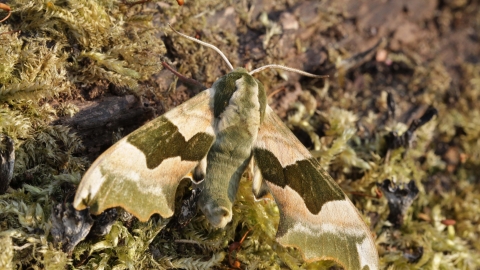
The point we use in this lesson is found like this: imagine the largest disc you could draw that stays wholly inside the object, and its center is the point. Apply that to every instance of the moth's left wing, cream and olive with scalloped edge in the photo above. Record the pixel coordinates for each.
(141, 172)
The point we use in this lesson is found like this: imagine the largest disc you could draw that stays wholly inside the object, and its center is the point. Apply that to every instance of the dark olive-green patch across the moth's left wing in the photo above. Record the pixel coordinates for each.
(162, 140)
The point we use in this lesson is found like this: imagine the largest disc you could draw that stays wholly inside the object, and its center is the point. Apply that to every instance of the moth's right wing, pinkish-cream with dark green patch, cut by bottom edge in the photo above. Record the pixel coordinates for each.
(315, 215)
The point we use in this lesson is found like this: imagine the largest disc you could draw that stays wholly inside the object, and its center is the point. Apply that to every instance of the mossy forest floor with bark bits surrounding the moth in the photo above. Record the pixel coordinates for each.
(401, 103)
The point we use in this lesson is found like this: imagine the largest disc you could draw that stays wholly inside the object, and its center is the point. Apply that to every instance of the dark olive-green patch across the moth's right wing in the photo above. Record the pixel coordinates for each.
(305, 177)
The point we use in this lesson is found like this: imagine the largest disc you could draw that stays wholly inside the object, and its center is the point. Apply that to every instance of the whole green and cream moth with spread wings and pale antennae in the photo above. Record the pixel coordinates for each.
(215, 135)
